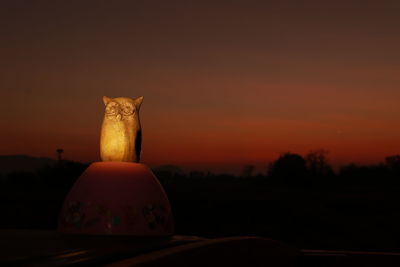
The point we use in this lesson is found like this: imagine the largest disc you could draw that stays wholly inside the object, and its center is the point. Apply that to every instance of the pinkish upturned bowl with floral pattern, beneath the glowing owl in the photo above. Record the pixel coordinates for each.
(117, 198)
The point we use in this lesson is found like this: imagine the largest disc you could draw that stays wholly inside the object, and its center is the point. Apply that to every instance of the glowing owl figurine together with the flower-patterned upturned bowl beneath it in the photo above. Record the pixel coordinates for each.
(118, 196)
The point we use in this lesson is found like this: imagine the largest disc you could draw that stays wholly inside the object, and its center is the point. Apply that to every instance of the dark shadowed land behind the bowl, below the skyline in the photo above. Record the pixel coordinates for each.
(356, 210)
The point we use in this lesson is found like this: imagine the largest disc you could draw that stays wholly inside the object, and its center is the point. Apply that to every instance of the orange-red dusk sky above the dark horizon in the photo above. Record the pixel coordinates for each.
(225, 83)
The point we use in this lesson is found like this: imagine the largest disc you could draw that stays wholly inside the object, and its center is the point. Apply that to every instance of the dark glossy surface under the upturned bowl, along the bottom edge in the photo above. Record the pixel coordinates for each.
(49, 248)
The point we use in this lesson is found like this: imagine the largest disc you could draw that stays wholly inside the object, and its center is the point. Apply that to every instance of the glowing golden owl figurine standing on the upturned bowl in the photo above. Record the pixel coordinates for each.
(121, 133)
